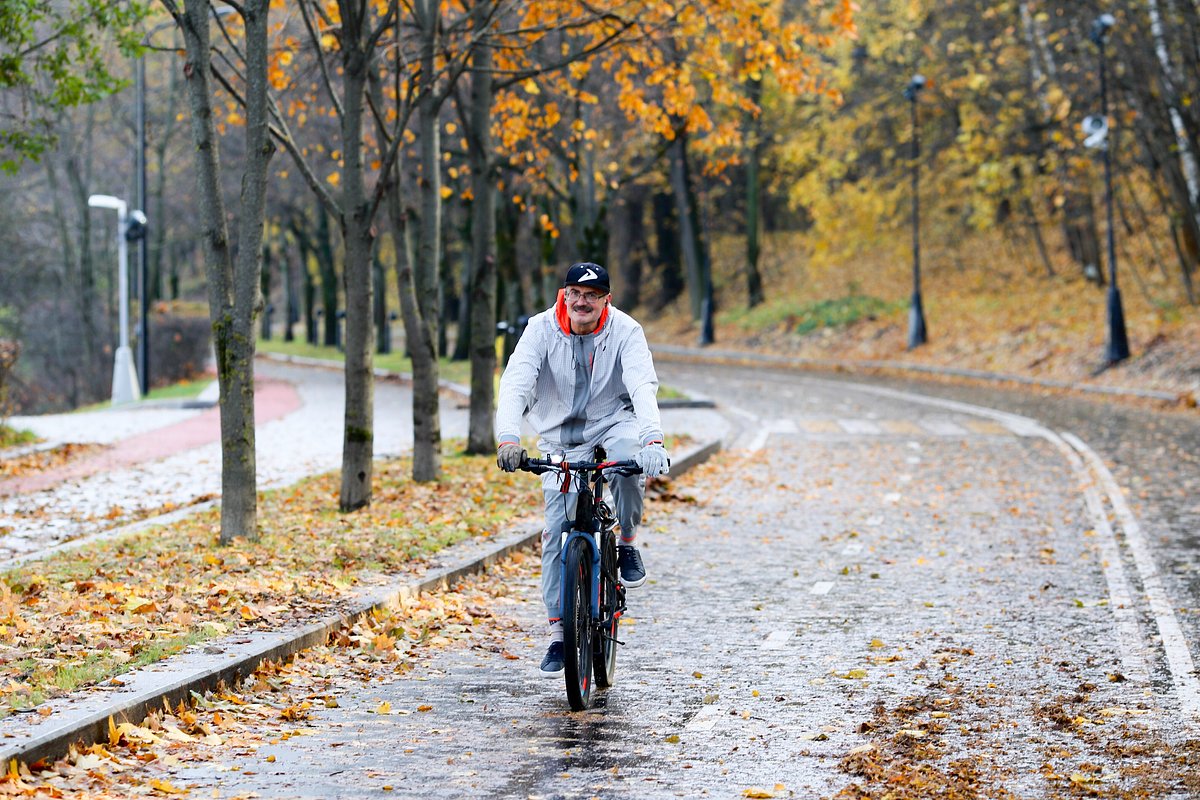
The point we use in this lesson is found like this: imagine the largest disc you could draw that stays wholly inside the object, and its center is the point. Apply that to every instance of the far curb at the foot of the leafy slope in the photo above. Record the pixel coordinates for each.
(677, 353)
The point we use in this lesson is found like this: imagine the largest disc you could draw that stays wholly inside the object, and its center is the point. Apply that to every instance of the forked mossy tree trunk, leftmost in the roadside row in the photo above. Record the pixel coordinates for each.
(233, 287)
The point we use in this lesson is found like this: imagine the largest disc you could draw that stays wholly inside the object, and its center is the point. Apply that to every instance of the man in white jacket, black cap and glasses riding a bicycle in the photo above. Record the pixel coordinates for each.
(583, 375)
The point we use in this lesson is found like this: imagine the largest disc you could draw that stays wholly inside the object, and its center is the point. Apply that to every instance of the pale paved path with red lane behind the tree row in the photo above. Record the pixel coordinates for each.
(171, 459)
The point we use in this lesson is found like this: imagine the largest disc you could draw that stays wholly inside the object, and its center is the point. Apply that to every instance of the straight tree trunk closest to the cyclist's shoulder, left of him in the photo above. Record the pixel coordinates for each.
(482, 434)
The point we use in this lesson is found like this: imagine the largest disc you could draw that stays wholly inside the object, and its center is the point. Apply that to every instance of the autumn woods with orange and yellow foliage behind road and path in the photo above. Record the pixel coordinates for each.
(446, 161)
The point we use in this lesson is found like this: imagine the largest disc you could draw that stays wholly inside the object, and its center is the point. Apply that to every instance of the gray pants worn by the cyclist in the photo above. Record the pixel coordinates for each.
(627, 494)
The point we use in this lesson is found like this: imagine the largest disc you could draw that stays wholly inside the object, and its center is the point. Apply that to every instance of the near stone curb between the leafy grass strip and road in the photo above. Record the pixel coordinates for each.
(87, 719)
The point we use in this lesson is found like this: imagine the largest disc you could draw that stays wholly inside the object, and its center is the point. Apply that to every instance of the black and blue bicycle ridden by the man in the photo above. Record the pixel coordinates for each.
(593, 598)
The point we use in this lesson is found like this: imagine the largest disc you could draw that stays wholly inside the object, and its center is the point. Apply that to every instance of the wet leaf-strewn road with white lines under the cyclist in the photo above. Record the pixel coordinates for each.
(861, 580)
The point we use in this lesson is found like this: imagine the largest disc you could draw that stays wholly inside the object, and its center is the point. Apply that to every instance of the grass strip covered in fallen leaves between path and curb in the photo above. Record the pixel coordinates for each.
(88, 616)
